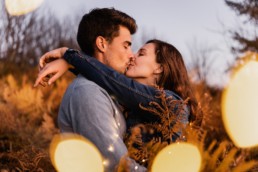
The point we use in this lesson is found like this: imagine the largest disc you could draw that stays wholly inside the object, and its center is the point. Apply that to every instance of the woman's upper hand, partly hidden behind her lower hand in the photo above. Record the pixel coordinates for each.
(51, 55)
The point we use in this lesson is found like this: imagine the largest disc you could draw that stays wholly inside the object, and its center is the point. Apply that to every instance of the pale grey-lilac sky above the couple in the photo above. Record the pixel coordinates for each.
(184, 23)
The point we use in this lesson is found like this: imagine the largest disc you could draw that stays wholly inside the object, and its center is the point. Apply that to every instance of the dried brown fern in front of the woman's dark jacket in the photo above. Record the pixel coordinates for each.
(172, 117)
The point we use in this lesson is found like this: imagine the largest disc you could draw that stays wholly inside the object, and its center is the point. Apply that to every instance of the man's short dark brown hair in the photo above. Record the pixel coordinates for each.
(102, 22)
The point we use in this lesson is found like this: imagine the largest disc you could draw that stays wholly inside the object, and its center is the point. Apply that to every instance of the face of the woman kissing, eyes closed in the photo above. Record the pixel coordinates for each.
(144, 68)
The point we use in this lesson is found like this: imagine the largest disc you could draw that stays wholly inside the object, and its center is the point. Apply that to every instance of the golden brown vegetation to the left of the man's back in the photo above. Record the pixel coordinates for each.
(27, 121)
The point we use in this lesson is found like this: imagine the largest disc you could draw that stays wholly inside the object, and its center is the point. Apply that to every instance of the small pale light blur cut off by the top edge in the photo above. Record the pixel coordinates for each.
(20, 7)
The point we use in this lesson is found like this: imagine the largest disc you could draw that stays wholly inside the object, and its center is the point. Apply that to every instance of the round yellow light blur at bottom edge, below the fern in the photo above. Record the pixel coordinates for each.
(180, 157)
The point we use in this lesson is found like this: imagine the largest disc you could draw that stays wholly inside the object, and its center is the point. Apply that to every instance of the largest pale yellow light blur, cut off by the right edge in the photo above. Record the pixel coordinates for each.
(240, 106)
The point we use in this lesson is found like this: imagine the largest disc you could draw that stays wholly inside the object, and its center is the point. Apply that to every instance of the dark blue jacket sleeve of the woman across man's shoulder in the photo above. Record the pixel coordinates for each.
(128, 91)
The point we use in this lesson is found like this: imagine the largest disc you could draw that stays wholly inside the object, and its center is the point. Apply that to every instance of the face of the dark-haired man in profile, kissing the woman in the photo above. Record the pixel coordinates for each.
(119, 52)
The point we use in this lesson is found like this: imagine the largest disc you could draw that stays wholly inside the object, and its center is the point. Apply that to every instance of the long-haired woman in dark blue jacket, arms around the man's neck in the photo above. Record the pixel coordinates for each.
(157, 63)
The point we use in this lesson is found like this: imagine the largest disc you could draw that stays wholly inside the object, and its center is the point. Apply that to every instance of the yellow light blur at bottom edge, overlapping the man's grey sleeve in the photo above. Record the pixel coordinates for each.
(70, 152)
